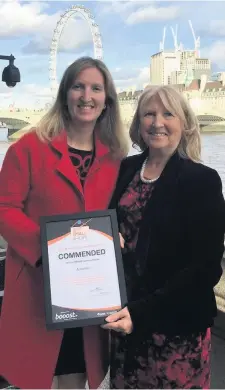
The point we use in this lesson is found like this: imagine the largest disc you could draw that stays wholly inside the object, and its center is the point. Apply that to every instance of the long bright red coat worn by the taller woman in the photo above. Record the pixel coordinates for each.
(39, 179)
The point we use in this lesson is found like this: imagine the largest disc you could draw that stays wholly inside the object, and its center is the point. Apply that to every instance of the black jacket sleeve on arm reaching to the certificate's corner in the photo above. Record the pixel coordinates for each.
(188, 288)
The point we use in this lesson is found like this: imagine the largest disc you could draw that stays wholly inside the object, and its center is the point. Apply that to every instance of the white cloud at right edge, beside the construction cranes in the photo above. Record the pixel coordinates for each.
(215, 52)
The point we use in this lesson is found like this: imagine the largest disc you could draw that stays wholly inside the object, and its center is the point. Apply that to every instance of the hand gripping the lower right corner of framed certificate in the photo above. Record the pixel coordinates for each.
(120, 322)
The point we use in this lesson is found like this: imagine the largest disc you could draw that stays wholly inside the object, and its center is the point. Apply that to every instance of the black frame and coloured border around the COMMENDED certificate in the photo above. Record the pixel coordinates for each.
(46, 237)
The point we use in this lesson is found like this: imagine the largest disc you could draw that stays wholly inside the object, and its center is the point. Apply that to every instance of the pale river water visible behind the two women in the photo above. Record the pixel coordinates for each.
(213, 152)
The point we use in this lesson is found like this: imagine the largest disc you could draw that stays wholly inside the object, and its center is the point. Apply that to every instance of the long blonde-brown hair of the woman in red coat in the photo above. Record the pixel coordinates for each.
(110, 128)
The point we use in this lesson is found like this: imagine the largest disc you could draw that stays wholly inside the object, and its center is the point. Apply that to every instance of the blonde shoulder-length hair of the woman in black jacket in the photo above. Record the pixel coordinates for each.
(174, 102)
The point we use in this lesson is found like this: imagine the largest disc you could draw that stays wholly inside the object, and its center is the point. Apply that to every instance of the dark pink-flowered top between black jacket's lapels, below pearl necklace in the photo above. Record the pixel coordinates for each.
(130, 210)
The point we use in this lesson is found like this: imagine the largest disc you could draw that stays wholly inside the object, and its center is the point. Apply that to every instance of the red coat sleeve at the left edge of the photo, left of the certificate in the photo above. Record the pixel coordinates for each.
(21, 233)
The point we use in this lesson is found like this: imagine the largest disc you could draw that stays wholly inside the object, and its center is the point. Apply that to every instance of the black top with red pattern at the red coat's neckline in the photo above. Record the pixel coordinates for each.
(82, 160)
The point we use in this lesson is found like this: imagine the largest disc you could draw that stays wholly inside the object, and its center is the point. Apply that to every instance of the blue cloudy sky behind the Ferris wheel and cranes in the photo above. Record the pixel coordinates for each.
(131, 32)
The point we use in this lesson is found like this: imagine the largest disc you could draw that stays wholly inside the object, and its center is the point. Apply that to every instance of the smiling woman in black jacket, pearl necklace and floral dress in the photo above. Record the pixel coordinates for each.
(171, 214)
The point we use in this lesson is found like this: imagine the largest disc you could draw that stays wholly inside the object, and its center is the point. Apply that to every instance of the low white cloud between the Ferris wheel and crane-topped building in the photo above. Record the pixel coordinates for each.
(139, 78)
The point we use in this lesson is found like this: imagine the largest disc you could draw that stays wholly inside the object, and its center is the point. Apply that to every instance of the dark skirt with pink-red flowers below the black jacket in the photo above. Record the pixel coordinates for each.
(160, 362)
